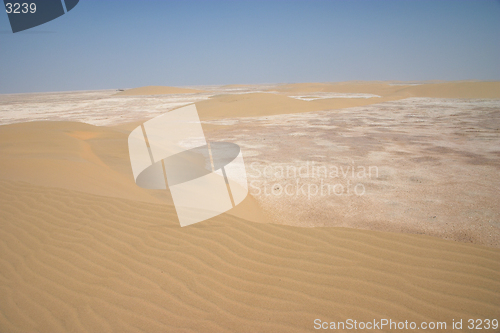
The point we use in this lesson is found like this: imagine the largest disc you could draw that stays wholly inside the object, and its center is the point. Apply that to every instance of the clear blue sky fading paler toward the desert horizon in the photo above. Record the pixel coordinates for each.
(129, 43)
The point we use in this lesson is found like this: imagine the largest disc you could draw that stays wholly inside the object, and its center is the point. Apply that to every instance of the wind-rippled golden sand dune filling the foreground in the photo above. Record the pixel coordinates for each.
(78, 262)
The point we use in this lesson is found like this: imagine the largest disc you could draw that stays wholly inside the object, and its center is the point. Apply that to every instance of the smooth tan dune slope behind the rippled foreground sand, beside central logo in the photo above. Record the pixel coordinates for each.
(82, 157)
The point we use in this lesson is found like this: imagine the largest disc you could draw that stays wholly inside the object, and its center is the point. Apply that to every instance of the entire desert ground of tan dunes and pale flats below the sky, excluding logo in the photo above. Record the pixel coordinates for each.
(85, 249)
